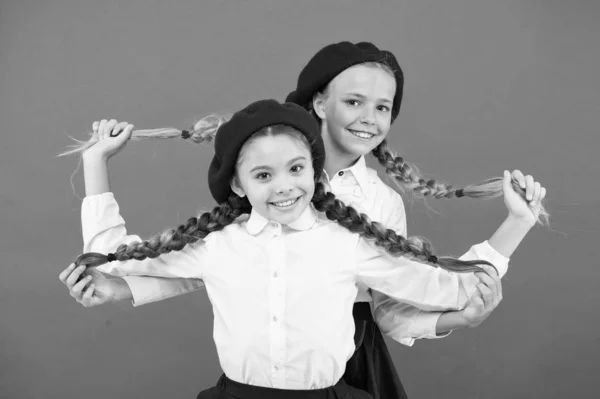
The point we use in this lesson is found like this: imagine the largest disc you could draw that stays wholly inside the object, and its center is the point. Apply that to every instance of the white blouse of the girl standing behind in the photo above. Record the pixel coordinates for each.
(360, 187)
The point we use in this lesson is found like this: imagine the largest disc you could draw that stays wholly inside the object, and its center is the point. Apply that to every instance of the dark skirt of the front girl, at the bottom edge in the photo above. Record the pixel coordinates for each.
(229, 389)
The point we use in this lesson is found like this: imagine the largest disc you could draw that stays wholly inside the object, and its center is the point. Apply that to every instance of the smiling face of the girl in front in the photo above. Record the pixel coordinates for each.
(277, 176)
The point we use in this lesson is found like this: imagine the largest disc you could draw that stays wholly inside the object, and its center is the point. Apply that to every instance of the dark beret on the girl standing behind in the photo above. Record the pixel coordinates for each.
(332, 60)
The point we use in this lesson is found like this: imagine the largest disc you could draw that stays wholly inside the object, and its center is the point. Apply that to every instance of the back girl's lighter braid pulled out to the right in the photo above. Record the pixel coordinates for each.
(406, 175)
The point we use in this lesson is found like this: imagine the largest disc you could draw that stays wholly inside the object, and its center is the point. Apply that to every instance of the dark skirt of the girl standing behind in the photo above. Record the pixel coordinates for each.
(371, 368)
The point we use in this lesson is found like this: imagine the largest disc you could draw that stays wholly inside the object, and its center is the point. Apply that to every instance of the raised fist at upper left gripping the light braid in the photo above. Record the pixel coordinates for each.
(111, 136)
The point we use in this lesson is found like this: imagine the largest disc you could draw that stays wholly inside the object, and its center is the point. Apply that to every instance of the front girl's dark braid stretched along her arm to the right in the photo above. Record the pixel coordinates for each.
(417, 248)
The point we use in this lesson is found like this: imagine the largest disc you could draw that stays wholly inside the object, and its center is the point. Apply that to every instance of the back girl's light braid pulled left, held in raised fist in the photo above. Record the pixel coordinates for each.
(203, 130)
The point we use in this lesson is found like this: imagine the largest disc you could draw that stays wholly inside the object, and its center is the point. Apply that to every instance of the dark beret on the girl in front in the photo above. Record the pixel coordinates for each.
(232, 135)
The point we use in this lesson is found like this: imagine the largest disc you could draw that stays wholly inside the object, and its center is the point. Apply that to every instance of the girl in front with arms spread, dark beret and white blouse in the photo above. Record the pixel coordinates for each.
(280, 276)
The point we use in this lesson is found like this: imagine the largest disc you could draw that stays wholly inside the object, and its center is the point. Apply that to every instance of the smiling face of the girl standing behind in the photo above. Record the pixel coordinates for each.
(356, 111)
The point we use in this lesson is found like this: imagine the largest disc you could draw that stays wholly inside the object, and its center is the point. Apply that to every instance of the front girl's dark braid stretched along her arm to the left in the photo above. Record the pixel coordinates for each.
(195, 229)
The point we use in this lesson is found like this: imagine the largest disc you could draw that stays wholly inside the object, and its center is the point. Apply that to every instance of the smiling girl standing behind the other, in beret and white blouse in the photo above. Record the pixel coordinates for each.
(341, 85)
